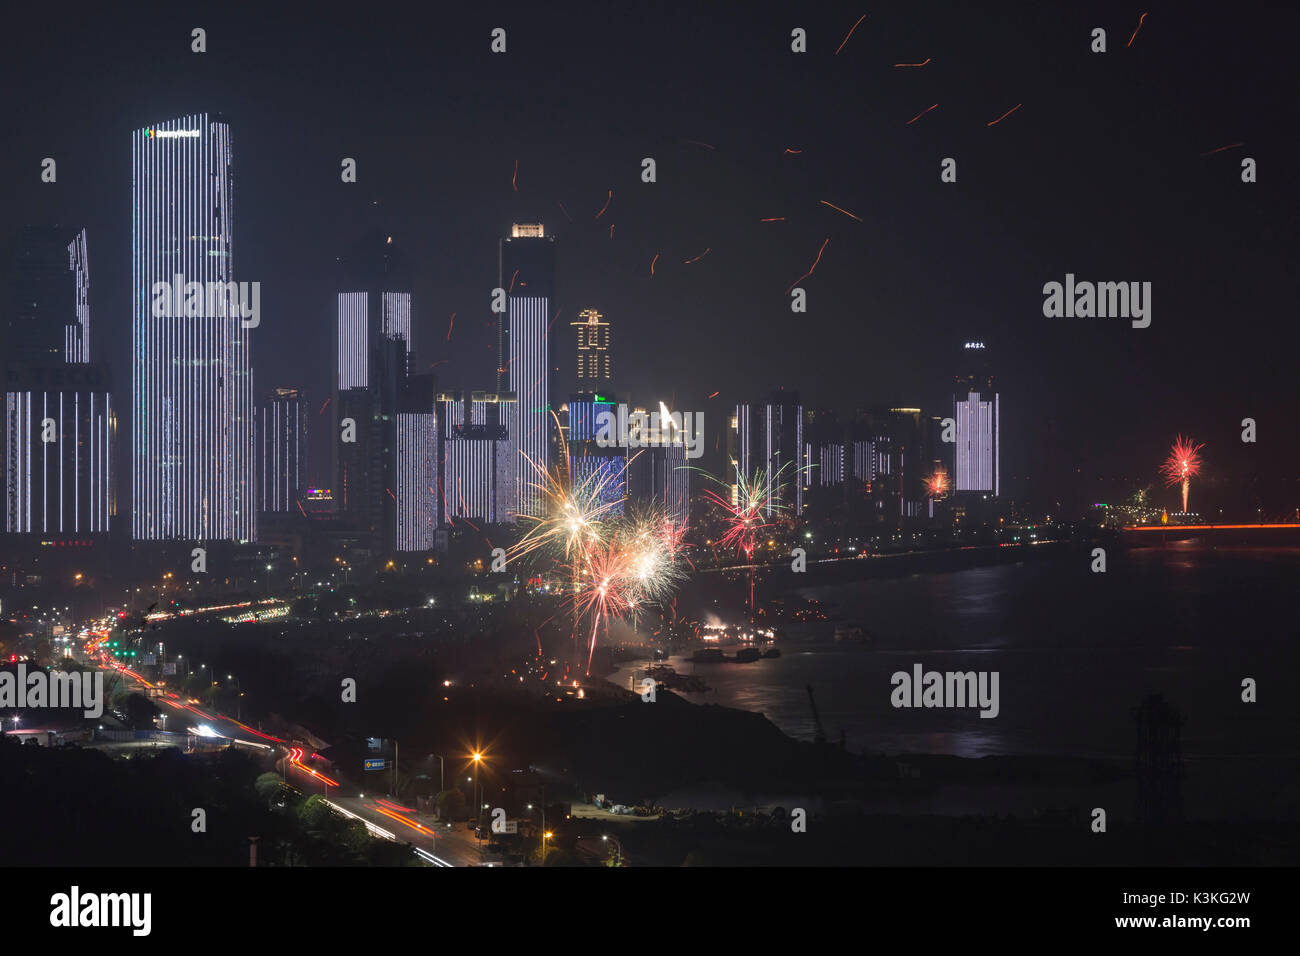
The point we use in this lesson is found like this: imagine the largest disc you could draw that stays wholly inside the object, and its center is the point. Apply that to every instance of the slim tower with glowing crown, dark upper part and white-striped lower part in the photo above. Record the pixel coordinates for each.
(527, 356)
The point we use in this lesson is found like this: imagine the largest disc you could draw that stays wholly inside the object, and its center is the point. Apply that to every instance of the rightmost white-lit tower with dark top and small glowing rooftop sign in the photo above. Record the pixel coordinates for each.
(977, 457)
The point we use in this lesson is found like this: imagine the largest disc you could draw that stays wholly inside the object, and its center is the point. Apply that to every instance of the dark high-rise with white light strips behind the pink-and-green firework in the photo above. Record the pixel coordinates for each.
(769, 438)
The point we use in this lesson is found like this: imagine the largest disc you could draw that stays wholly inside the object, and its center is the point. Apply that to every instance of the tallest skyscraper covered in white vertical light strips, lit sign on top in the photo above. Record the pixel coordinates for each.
(192, 399)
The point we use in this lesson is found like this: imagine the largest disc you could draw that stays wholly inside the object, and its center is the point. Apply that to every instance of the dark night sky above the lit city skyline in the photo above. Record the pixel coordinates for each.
(1099, 174)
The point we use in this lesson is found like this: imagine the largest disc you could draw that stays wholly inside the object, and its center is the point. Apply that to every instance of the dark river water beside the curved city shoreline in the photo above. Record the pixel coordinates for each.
(1074, 652)
